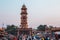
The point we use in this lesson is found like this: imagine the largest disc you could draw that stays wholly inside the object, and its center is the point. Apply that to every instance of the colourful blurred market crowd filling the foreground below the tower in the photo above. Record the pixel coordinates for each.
(27, 37)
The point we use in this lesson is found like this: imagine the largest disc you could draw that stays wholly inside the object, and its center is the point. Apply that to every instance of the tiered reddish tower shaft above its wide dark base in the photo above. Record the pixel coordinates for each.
(24, 17)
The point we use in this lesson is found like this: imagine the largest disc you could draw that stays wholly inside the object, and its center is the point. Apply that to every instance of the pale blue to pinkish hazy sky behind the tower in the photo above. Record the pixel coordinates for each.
(39, 12)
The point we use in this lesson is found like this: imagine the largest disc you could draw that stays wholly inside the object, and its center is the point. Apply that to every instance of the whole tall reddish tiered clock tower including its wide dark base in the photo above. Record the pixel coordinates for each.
(24, 24)
